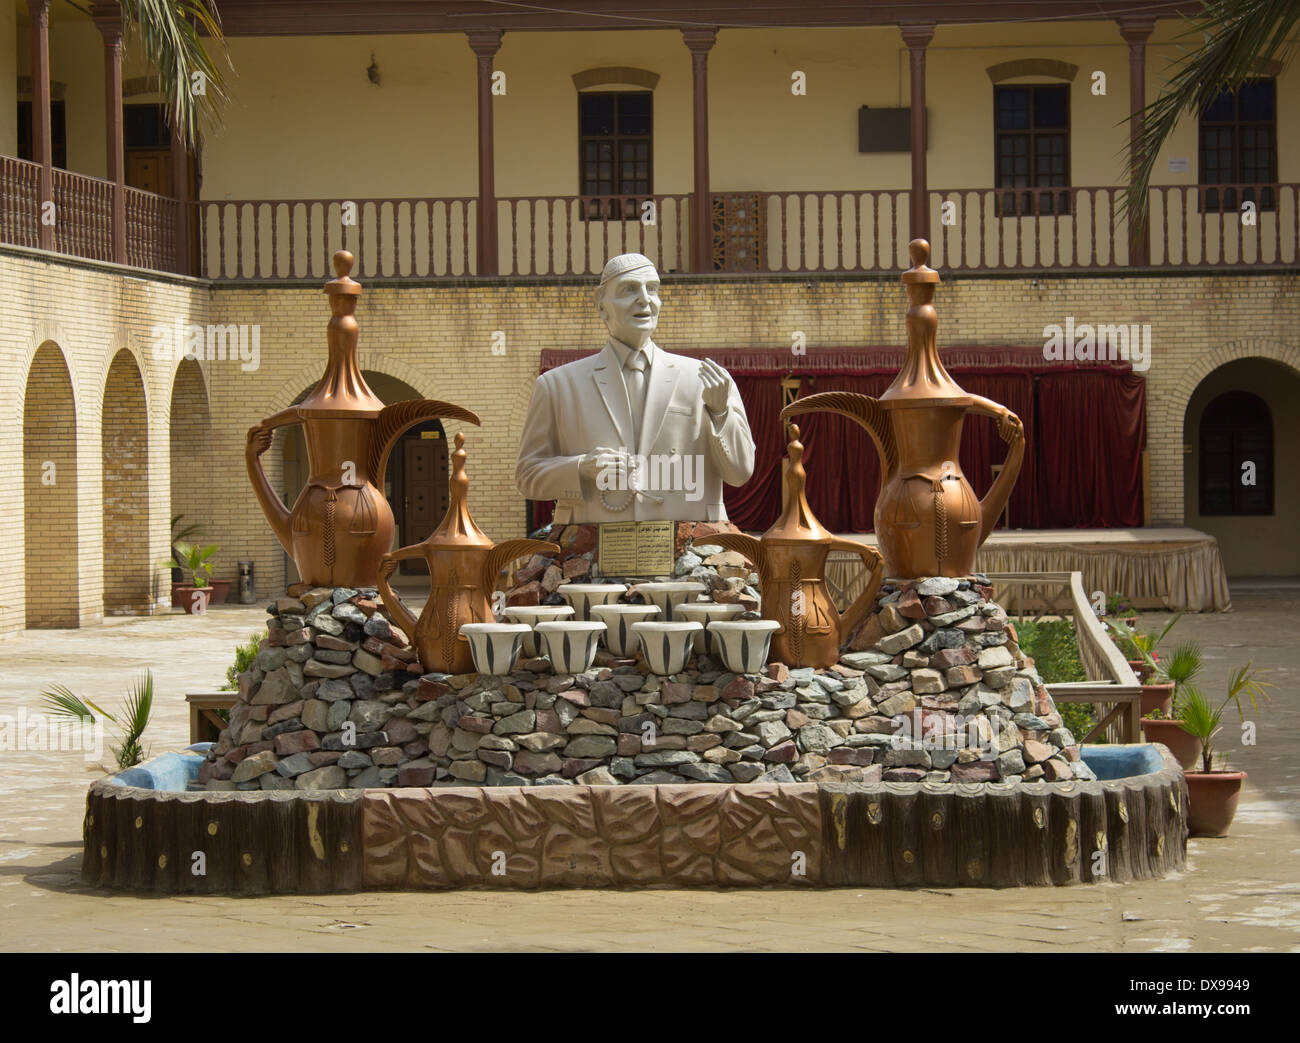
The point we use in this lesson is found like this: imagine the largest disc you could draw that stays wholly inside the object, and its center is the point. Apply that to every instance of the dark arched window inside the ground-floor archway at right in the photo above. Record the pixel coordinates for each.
(1237, 430)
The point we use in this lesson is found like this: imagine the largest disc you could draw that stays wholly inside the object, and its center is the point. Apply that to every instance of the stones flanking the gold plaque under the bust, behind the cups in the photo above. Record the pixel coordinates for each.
(722, 572)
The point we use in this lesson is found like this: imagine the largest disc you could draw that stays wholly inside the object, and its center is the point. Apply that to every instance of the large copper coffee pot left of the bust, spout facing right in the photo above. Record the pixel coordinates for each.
(341, 525)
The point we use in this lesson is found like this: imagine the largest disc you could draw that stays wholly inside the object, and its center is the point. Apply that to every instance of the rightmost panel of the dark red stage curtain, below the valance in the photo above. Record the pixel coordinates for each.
(1090, 438)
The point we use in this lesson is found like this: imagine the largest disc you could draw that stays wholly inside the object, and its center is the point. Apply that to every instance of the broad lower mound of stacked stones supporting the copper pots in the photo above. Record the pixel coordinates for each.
(934, 690)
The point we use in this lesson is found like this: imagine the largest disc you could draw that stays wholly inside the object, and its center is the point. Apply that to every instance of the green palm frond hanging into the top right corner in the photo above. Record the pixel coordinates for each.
(1236, 37)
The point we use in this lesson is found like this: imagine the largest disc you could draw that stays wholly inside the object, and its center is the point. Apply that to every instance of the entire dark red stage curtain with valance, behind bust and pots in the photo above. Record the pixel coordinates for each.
(1085, 429)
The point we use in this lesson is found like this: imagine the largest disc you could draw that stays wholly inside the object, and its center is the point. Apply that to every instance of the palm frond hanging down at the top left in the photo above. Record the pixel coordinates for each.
(171, 33)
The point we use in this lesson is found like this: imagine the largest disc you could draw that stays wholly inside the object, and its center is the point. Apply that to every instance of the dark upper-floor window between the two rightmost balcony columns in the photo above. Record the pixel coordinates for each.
(1032, 149)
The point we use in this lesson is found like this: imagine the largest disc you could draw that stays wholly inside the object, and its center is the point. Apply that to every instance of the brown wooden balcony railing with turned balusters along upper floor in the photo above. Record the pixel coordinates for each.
(974, 231)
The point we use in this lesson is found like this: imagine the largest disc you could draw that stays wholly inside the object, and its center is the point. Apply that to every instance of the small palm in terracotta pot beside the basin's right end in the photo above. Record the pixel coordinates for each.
(1212, 795)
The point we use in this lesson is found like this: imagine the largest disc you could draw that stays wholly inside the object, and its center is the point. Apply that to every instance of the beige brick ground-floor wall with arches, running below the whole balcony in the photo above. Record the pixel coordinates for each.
(440, 341)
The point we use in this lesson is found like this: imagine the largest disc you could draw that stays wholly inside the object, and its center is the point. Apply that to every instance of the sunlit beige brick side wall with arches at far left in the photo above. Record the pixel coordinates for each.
(80, 317)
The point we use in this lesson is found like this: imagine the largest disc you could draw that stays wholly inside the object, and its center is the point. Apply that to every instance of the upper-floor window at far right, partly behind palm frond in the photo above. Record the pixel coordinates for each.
(1240, 148)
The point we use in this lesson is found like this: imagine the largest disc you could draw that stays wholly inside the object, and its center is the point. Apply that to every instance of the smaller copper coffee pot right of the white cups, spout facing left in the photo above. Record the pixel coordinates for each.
(791, 562)
